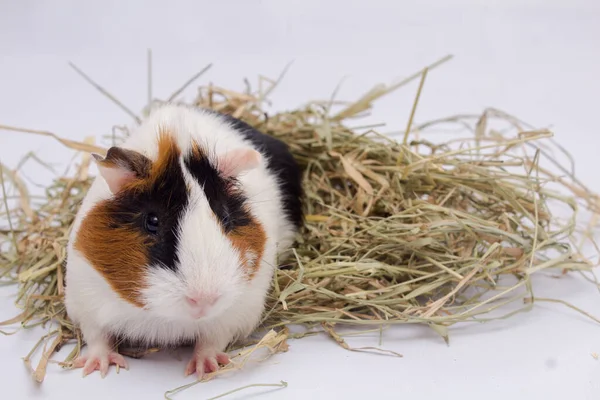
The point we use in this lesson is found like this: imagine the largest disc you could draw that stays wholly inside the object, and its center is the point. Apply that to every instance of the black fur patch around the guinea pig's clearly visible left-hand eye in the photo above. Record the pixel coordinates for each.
(167, 198)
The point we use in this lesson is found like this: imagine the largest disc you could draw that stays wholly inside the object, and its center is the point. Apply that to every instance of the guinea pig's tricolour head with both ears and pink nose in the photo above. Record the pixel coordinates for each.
(174, 235)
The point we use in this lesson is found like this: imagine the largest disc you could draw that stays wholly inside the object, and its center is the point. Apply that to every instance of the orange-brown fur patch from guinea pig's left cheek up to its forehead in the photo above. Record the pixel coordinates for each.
(120, 252)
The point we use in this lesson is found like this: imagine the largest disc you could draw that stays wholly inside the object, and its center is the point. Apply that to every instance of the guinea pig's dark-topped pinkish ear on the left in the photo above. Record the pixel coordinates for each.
(121, 166)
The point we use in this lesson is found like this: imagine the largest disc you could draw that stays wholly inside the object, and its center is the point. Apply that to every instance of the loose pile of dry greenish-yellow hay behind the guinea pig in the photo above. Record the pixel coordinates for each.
(397, 232)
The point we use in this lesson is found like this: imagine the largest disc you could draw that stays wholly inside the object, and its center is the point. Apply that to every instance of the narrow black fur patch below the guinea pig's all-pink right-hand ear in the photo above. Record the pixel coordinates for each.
(226, 202)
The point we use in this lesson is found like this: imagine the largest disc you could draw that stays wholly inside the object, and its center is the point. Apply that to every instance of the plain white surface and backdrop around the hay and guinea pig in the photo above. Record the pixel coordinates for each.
(538, 60)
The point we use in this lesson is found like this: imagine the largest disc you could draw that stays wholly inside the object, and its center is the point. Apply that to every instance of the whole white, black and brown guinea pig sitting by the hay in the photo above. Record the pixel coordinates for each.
(178, 237)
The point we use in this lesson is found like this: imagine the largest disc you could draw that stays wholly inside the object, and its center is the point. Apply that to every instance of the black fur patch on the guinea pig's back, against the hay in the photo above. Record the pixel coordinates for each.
(280, 163)
